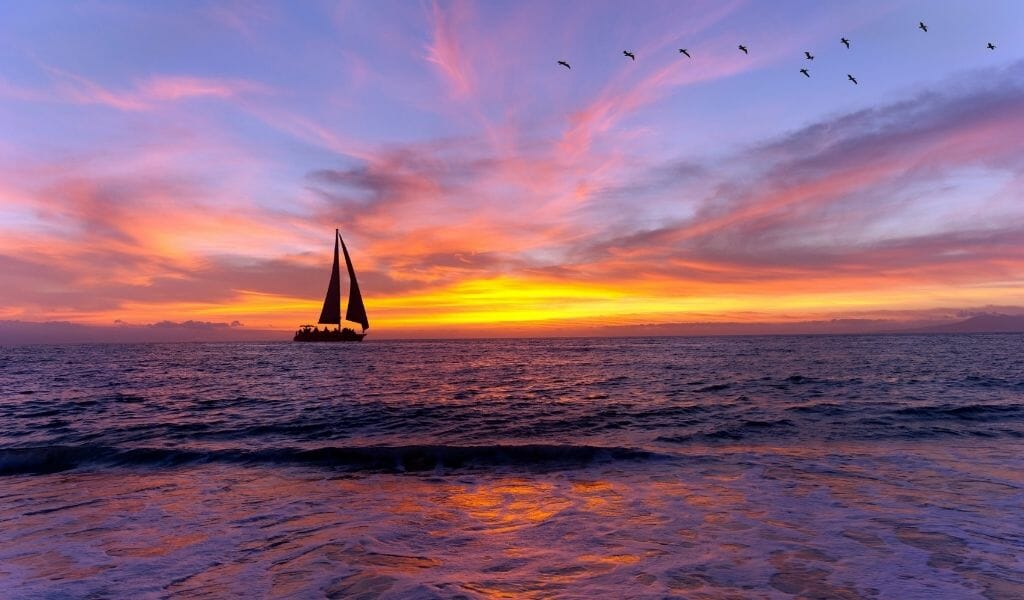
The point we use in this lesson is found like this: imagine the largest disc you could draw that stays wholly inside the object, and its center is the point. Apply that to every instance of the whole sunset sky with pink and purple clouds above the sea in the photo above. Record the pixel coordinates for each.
(190, 161)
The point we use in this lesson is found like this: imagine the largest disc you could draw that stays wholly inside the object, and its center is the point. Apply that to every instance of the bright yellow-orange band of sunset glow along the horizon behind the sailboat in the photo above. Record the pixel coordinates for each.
(525, 304)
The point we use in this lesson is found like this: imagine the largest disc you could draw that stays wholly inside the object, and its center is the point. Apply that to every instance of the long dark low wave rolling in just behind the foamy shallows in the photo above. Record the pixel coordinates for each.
(41, 460)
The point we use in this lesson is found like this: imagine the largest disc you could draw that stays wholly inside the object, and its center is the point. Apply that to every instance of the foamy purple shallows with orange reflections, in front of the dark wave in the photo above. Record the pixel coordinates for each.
(805, 527)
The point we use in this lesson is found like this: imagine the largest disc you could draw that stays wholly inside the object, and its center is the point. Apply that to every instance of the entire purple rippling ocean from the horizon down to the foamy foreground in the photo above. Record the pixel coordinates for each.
(758, 467)
